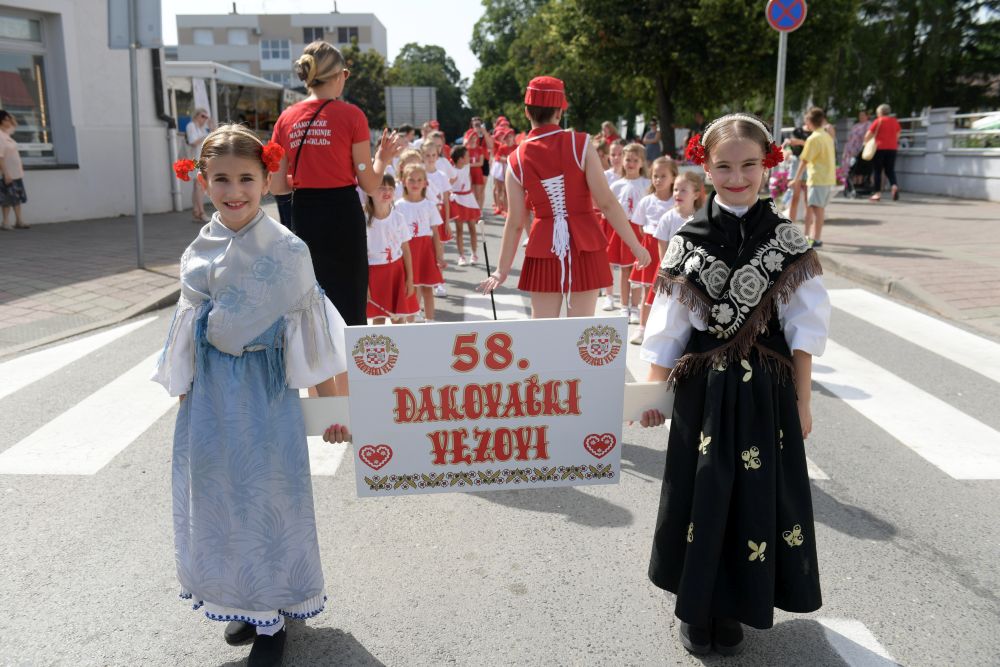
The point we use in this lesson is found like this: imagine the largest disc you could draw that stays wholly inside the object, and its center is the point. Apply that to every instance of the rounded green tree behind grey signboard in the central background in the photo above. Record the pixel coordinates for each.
(429, 65)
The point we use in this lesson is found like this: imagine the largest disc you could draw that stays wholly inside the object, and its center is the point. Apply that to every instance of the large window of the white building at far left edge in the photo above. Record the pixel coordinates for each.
(23, 86)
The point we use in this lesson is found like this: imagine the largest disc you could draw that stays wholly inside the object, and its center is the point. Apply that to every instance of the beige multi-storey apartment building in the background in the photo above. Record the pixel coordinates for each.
(266, 44)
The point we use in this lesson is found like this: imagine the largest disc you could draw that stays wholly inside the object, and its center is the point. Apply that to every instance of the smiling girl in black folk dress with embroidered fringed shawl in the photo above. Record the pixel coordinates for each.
(741, 311)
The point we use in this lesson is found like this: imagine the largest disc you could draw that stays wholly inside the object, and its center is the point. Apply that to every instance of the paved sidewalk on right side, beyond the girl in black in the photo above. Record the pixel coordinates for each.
(937, 253)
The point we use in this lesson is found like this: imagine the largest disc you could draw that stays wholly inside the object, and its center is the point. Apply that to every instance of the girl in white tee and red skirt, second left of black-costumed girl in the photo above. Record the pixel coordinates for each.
(647, 215)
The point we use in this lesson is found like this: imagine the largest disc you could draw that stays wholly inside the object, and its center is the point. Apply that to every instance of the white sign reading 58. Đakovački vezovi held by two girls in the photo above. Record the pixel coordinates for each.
(474, 406)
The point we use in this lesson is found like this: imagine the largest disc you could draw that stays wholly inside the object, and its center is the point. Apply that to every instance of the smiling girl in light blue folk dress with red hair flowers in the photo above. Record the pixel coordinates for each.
(251, 326)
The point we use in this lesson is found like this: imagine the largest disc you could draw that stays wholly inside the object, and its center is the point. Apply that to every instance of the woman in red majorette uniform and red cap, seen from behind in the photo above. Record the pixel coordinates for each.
(562, 176)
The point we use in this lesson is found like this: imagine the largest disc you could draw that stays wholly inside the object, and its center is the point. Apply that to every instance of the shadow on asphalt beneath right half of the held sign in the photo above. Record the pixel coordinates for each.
(578, 507)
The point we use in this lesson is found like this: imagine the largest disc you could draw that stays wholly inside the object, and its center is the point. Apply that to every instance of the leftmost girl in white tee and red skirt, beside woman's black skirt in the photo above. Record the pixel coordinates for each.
(390, 269)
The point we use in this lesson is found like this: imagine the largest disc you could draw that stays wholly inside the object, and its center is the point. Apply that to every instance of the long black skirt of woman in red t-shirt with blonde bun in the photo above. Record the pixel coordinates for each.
(332, 223)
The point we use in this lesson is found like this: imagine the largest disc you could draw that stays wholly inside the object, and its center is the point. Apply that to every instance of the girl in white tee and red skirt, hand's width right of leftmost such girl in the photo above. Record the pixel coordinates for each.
(421, 215)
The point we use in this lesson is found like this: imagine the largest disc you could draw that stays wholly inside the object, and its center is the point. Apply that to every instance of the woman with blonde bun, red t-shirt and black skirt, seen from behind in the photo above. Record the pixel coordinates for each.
(328, 154)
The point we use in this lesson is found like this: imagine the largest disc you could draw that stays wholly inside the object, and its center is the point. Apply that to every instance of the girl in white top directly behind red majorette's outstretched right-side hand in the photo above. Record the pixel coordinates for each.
(629, 190)
